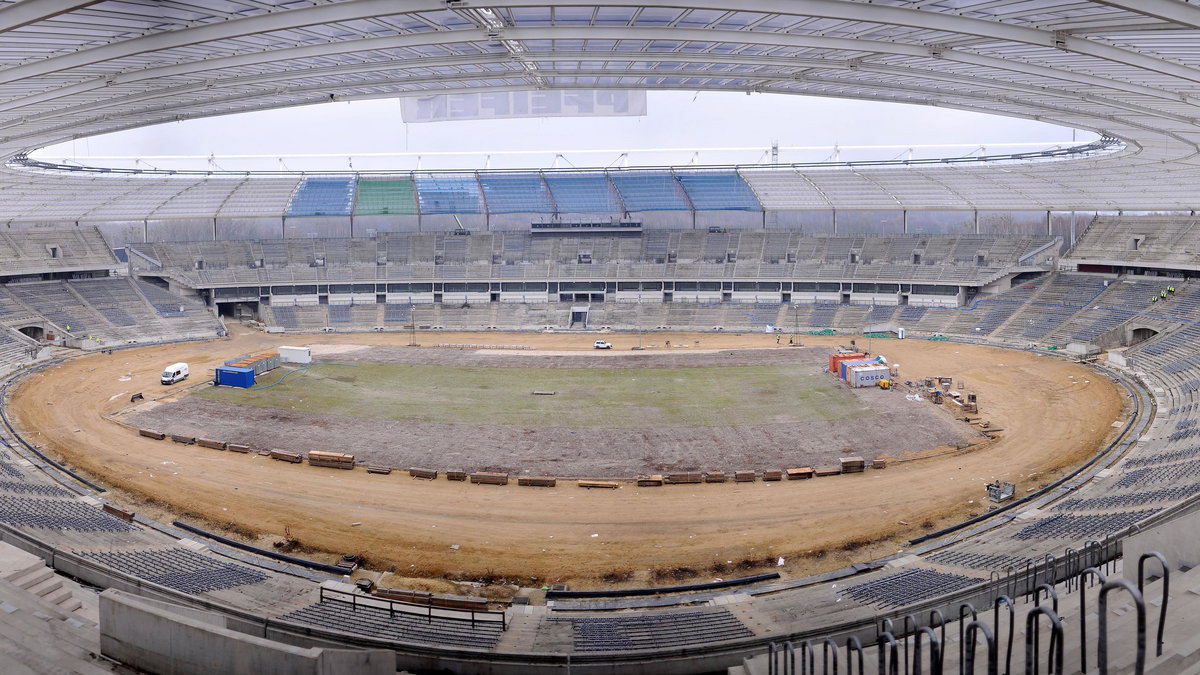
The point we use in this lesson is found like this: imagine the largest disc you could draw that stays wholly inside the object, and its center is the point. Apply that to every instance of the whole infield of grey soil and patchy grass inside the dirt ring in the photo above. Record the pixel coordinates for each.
(650, 414)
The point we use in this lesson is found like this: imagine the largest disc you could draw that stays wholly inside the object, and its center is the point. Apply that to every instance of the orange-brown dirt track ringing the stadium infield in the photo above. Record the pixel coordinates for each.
(1054, 415)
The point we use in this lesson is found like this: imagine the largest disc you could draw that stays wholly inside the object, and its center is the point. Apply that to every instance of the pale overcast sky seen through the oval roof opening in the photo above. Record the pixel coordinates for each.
(676, 121)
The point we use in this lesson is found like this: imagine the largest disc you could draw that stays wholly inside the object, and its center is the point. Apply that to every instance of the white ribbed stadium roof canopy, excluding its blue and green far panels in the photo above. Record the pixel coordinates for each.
(1124, 69)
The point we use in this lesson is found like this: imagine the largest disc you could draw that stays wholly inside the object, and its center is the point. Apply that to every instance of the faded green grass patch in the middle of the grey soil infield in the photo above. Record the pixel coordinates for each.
(611, 398)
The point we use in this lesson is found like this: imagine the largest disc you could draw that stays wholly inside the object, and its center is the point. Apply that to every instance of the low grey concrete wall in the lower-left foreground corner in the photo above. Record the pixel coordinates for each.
(151, 637)
